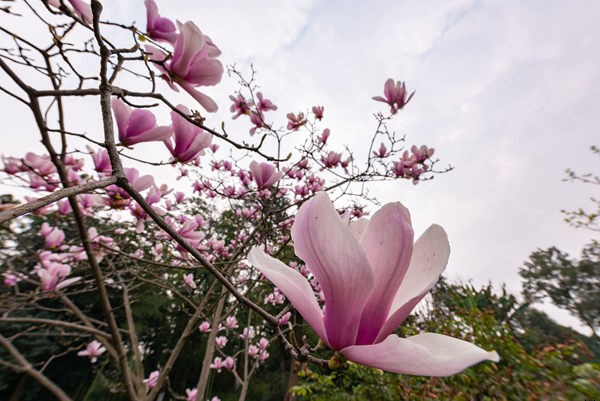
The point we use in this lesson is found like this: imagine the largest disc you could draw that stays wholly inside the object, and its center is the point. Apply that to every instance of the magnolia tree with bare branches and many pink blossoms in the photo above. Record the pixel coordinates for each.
(104, 263)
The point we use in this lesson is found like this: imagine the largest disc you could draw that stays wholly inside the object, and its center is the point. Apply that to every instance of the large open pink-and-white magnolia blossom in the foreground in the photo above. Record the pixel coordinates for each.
(372, 276)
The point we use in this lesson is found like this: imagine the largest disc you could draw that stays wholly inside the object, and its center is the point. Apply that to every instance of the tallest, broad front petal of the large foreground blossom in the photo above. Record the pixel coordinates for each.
(332, 254)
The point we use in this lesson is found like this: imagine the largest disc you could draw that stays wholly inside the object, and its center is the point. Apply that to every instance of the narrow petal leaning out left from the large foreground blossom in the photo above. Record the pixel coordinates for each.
(294, 286)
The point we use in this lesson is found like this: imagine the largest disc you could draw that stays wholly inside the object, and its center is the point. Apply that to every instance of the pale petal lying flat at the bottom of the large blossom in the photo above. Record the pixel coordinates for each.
(425, 354)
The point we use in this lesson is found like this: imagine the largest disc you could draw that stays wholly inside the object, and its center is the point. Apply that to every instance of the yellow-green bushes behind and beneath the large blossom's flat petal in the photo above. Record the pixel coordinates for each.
(548, 372)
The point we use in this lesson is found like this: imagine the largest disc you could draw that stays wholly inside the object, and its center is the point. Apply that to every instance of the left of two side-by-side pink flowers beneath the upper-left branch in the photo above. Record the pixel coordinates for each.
(137, 125)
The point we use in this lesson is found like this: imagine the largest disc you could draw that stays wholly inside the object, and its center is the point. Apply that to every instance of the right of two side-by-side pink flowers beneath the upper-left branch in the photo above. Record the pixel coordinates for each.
(190, 140)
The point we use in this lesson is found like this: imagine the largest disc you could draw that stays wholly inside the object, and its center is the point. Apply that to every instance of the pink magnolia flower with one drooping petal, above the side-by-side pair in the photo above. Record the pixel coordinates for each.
(193, 63)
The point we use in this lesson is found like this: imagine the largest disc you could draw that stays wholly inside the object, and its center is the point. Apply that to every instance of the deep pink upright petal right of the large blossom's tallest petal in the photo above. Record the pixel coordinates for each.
(388, 243)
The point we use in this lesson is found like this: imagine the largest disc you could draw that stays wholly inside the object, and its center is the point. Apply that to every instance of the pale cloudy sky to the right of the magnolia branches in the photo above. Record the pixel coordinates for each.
(506, 92)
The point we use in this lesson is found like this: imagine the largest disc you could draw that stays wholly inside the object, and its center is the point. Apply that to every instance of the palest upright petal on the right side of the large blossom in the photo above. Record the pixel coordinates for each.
(429, 259)
